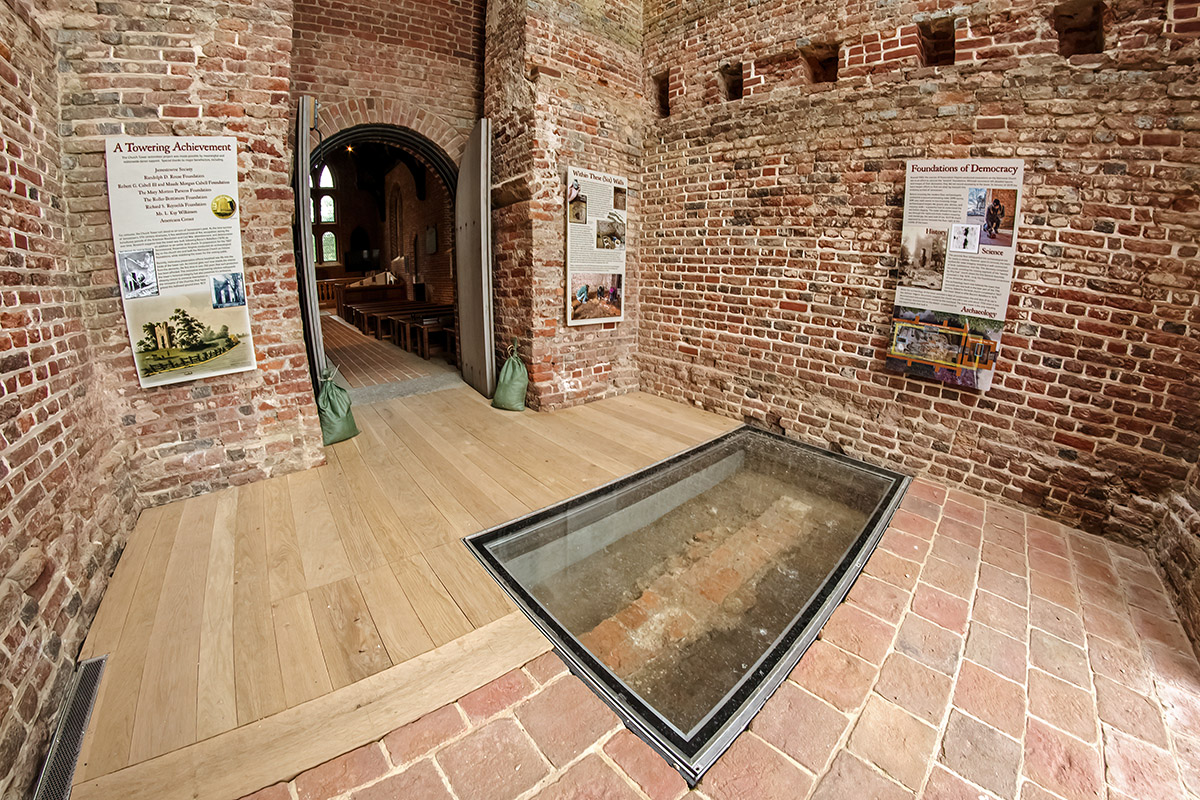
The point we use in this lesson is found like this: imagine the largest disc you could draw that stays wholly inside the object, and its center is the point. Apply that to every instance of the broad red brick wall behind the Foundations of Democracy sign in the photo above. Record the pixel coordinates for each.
(770, 279)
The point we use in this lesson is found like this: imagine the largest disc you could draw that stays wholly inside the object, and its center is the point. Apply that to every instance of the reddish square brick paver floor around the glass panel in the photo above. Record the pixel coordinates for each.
(986, 653)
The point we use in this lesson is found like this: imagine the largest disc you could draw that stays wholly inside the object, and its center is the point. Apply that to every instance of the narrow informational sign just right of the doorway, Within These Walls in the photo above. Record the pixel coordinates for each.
(596, 248)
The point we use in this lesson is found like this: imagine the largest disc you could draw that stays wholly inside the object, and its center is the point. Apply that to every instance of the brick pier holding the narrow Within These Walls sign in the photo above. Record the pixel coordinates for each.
(568, 92)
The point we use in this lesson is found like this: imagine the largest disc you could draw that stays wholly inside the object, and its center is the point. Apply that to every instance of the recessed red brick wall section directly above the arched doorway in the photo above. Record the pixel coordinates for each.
(410, 63)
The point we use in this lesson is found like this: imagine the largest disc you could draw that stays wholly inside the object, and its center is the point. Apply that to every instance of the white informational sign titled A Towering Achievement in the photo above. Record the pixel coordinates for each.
(178, 240)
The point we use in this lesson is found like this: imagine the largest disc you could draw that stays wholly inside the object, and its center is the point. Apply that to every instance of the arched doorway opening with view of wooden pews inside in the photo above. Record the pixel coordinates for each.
(383, 234)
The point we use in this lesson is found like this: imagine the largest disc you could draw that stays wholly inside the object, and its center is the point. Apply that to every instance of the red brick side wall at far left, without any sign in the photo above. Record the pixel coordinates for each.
(65, 501)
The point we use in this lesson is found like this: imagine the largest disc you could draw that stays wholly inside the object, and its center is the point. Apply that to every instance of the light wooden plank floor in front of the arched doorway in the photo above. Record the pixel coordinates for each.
(232, 609)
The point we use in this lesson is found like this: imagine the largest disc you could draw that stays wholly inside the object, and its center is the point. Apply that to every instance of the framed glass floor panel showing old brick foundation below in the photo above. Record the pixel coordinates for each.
(686, 593)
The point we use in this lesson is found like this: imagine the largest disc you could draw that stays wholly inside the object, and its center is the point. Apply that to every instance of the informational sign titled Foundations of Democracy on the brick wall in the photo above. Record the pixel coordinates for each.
(956, 266)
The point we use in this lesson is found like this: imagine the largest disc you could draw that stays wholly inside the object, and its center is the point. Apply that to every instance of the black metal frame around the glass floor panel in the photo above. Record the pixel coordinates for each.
(693, 753)
